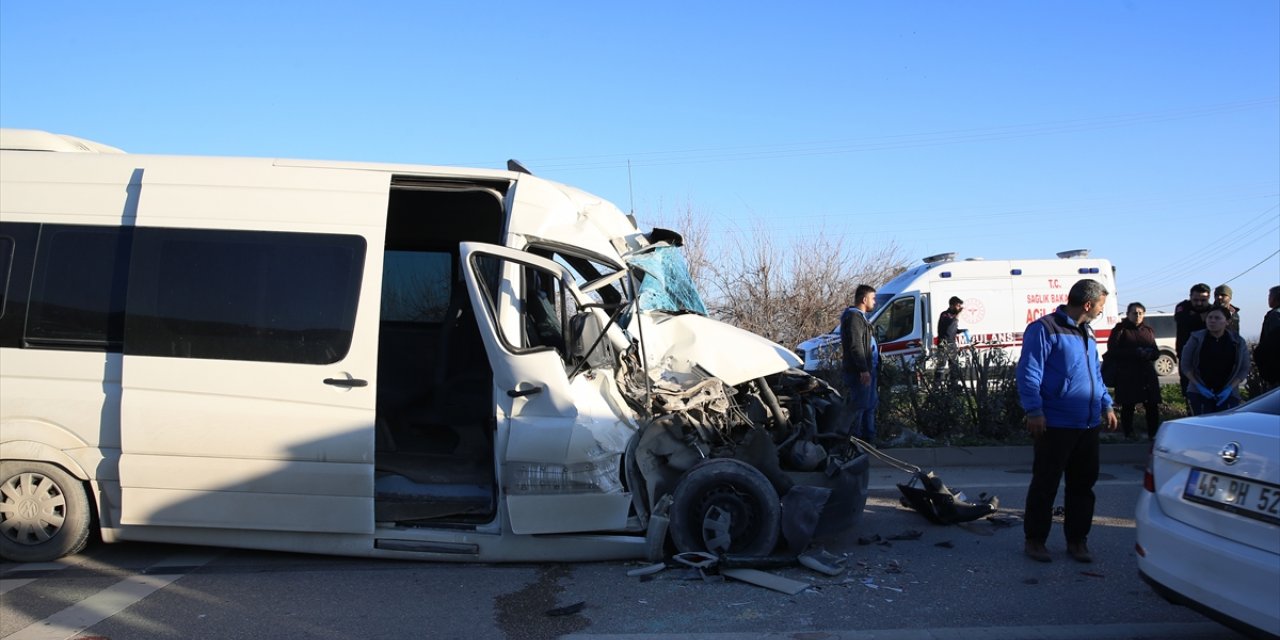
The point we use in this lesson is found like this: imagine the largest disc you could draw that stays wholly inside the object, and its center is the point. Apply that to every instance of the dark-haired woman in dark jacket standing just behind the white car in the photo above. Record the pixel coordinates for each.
(1215, 363)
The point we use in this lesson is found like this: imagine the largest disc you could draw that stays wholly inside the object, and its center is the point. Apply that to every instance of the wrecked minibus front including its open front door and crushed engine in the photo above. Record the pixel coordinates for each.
(670, 424)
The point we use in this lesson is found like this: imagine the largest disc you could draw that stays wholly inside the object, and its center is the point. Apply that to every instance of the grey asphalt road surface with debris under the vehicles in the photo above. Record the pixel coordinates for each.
(950, 582)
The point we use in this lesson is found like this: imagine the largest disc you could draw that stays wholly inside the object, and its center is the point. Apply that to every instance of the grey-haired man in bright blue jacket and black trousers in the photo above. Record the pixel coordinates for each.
(1060, 387)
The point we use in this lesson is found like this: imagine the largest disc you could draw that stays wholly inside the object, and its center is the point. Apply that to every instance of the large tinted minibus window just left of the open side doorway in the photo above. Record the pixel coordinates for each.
(235, 295)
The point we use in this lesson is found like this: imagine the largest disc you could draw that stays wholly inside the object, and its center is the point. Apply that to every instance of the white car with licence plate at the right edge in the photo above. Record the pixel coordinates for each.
(1209, 522)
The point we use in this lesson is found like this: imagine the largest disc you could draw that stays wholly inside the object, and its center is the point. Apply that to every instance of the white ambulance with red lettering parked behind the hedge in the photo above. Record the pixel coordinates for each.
(1002, 298)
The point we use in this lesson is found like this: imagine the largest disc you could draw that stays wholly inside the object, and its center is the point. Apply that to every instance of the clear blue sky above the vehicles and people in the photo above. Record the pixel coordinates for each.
(1148, 131)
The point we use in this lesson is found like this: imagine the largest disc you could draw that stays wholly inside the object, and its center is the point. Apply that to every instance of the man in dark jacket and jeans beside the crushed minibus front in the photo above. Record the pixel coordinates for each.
(861, 358)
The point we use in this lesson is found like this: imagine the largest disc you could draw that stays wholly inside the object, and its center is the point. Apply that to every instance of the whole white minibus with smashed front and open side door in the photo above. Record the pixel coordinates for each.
(382, 360)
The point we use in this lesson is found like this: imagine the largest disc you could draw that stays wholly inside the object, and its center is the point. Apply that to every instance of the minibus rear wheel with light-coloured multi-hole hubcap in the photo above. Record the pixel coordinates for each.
(44, 513)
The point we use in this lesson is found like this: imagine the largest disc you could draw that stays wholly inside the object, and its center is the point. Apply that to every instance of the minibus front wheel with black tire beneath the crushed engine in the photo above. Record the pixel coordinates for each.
(725, 506)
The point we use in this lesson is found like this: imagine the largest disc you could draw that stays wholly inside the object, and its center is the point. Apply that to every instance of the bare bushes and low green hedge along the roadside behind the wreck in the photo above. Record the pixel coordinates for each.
(793, 292)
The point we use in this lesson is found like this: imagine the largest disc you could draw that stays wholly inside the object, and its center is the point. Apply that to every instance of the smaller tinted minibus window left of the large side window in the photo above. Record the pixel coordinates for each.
(77, 298)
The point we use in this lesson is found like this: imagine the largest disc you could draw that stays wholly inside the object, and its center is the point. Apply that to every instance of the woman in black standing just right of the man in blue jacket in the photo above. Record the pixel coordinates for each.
(1133, 349)
